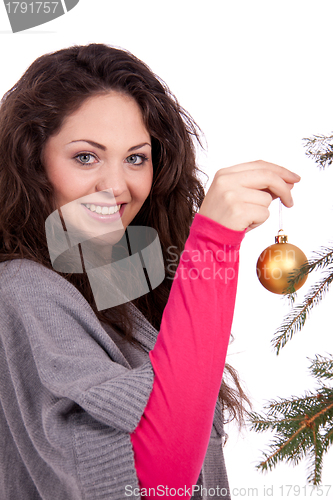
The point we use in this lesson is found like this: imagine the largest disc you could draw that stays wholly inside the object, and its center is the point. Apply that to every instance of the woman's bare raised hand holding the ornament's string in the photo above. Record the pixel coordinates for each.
(239, 196)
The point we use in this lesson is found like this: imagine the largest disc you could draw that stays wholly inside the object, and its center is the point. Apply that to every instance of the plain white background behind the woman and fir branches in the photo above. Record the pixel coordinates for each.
(257, 77)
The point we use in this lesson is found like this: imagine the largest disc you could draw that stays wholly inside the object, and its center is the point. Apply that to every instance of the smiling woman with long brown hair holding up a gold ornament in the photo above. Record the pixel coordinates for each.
(92, 405)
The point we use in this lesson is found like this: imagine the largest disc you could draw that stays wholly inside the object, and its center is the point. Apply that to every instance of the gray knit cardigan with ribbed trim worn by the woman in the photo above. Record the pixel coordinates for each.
(71, 394)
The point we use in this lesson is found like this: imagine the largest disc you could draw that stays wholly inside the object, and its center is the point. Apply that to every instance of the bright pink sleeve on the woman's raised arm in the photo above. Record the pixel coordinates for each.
(188, 359)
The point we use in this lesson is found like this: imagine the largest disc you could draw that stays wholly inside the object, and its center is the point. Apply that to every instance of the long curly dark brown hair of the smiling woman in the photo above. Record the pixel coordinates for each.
(52, 88)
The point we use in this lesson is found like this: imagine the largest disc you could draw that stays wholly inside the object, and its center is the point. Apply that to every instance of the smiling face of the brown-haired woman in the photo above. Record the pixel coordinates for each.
(100, 163)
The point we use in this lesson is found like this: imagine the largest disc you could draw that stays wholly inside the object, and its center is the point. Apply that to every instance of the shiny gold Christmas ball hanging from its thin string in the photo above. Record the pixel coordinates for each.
(277, 262)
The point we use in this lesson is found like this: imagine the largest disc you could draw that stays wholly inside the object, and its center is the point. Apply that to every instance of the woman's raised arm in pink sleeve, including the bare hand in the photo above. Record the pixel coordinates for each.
(171, 439)
